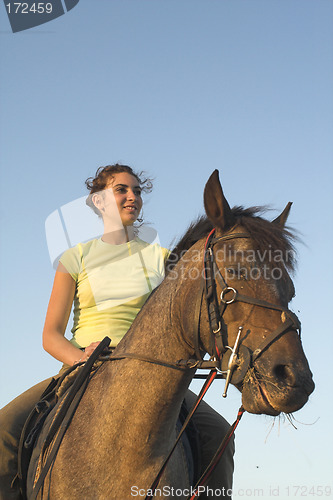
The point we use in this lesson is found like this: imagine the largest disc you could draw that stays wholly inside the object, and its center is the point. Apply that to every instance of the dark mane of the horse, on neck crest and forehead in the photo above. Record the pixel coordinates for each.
(264, 234)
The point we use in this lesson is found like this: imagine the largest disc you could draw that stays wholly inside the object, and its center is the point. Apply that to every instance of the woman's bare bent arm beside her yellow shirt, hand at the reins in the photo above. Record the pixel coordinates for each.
(60, 305)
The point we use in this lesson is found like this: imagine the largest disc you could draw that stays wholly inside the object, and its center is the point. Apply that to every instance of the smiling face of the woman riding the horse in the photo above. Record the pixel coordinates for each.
(125, 190)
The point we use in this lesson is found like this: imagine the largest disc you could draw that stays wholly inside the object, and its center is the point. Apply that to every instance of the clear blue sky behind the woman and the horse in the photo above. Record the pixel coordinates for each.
(176, 88)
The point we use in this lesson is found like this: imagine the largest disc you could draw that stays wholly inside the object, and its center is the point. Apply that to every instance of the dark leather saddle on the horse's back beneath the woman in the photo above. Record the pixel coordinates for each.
(47, 424)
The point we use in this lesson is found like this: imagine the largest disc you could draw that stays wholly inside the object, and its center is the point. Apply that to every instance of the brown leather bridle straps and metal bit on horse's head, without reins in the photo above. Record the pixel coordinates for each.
(235, 361)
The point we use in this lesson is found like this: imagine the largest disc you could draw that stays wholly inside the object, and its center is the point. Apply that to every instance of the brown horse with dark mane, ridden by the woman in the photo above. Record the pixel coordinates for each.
(125, 424)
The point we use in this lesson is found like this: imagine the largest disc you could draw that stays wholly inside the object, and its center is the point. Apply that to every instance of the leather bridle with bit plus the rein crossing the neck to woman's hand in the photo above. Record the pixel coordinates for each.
(232, 362)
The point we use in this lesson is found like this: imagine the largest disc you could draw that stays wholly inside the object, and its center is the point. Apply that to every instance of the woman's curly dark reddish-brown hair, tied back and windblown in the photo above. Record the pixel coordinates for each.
(102, 178)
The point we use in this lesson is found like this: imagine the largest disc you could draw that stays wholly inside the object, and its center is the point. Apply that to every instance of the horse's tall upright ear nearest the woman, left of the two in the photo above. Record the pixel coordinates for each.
(216, 206)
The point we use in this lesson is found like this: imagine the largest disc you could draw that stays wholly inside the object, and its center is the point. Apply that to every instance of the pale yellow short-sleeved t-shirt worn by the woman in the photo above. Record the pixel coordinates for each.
(112, 284)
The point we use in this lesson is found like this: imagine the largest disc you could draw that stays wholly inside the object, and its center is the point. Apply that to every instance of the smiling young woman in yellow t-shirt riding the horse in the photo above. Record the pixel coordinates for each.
(108, 279)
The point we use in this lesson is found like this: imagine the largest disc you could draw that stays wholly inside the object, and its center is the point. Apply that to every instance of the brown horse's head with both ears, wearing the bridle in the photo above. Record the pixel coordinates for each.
(251, 258)
